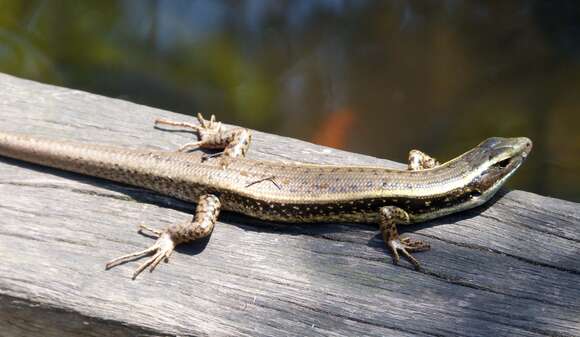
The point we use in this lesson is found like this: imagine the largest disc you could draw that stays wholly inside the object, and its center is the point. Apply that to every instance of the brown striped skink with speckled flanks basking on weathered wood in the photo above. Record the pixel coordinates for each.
(284, 192)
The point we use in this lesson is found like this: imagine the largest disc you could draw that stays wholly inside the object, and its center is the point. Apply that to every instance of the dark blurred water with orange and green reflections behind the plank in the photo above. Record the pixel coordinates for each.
(376, 77)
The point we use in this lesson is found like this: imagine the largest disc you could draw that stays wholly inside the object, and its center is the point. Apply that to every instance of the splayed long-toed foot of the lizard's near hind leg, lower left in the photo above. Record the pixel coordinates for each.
(161, 249)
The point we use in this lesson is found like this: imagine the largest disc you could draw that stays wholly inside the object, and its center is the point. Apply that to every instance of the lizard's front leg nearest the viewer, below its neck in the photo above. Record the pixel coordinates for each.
(390, 216)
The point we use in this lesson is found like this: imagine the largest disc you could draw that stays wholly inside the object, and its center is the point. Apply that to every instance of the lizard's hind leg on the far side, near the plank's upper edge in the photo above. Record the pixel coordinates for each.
(212, 135)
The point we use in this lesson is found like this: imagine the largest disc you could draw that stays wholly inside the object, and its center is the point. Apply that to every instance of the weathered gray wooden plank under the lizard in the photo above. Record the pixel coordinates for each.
(509, 269)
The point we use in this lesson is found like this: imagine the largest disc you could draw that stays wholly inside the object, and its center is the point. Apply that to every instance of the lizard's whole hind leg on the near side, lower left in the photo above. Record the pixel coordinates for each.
(200, 226)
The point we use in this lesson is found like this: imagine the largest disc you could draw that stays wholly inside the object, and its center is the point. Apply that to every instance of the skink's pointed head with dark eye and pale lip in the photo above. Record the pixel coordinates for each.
(495, 160)
